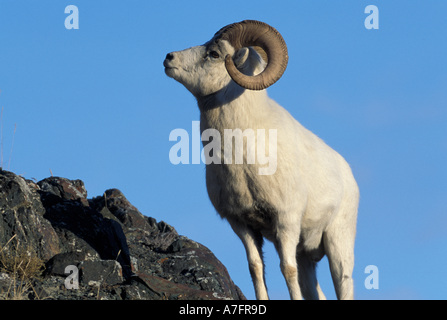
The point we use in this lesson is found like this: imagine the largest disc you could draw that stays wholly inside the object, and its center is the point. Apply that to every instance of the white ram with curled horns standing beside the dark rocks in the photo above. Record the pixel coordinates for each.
(308, 206)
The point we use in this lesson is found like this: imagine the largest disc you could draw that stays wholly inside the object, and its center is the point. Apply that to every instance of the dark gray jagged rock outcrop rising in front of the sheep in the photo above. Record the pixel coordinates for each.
(119, 253)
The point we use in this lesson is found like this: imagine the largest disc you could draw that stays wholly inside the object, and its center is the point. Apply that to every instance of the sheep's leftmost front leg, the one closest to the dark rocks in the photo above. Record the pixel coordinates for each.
(253, 241)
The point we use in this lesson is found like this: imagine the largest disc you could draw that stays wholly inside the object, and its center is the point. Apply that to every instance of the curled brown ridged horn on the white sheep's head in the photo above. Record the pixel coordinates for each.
(256, 33)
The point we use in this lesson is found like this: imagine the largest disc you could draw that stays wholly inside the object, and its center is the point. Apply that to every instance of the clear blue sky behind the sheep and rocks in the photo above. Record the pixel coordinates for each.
(95, 104)
